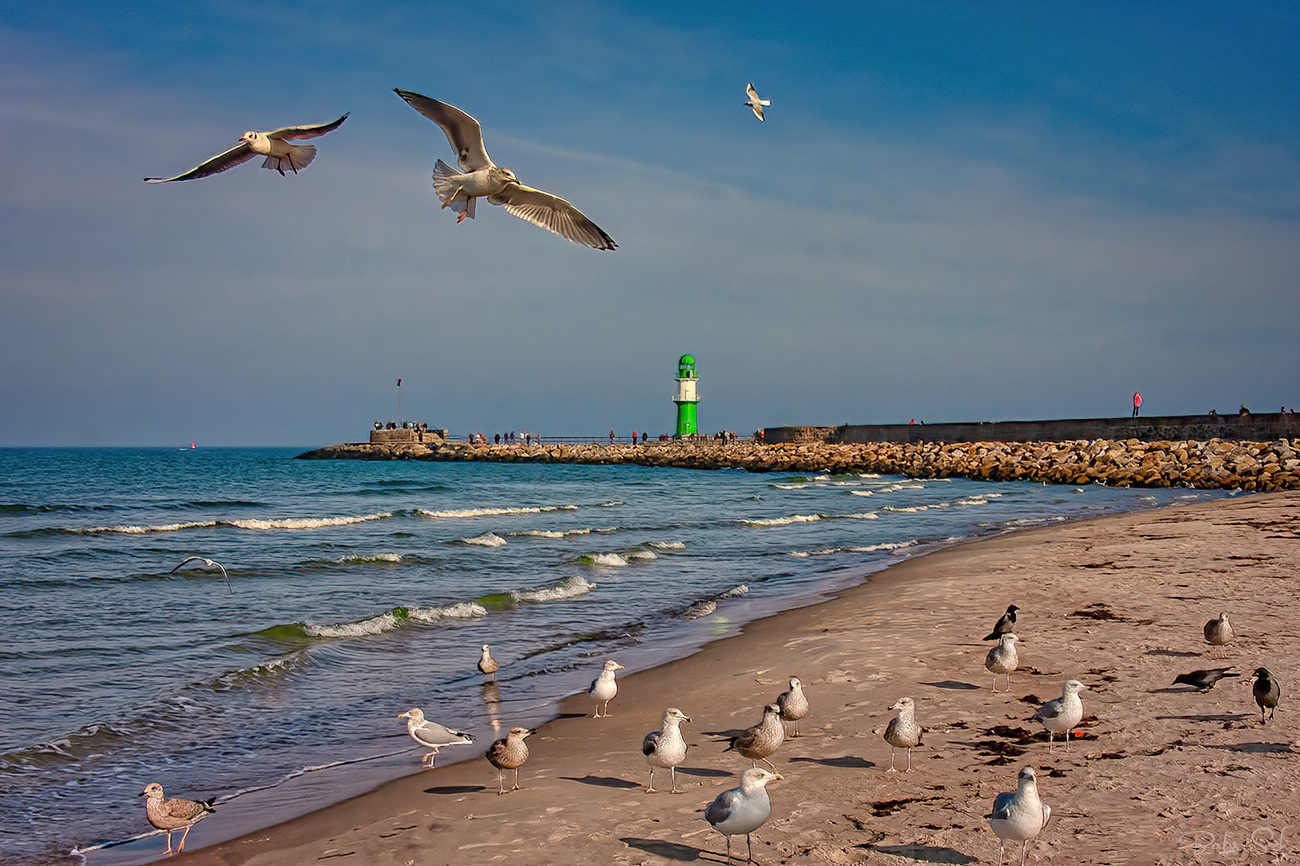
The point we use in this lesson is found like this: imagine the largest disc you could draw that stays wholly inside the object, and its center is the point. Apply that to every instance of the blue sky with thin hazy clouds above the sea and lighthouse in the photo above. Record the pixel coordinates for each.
(955, 211)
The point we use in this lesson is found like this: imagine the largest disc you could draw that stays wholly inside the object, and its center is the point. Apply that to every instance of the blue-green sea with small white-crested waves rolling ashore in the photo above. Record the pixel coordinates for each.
(361, 590)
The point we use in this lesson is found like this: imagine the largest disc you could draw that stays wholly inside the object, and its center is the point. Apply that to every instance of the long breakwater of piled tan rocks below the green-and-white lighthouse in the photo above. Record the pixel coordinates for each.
(1215, 464)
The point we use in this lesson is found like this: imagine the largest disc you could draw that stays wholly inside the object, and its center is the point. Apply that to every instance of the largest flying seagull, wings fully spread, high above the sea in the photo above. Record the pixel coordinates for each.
(484, 177)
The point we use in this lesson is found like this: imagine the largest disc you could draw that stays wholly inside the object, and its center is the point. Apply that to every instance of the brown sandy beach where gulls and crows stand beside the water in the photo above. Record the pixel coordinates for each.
(1160, 774)
